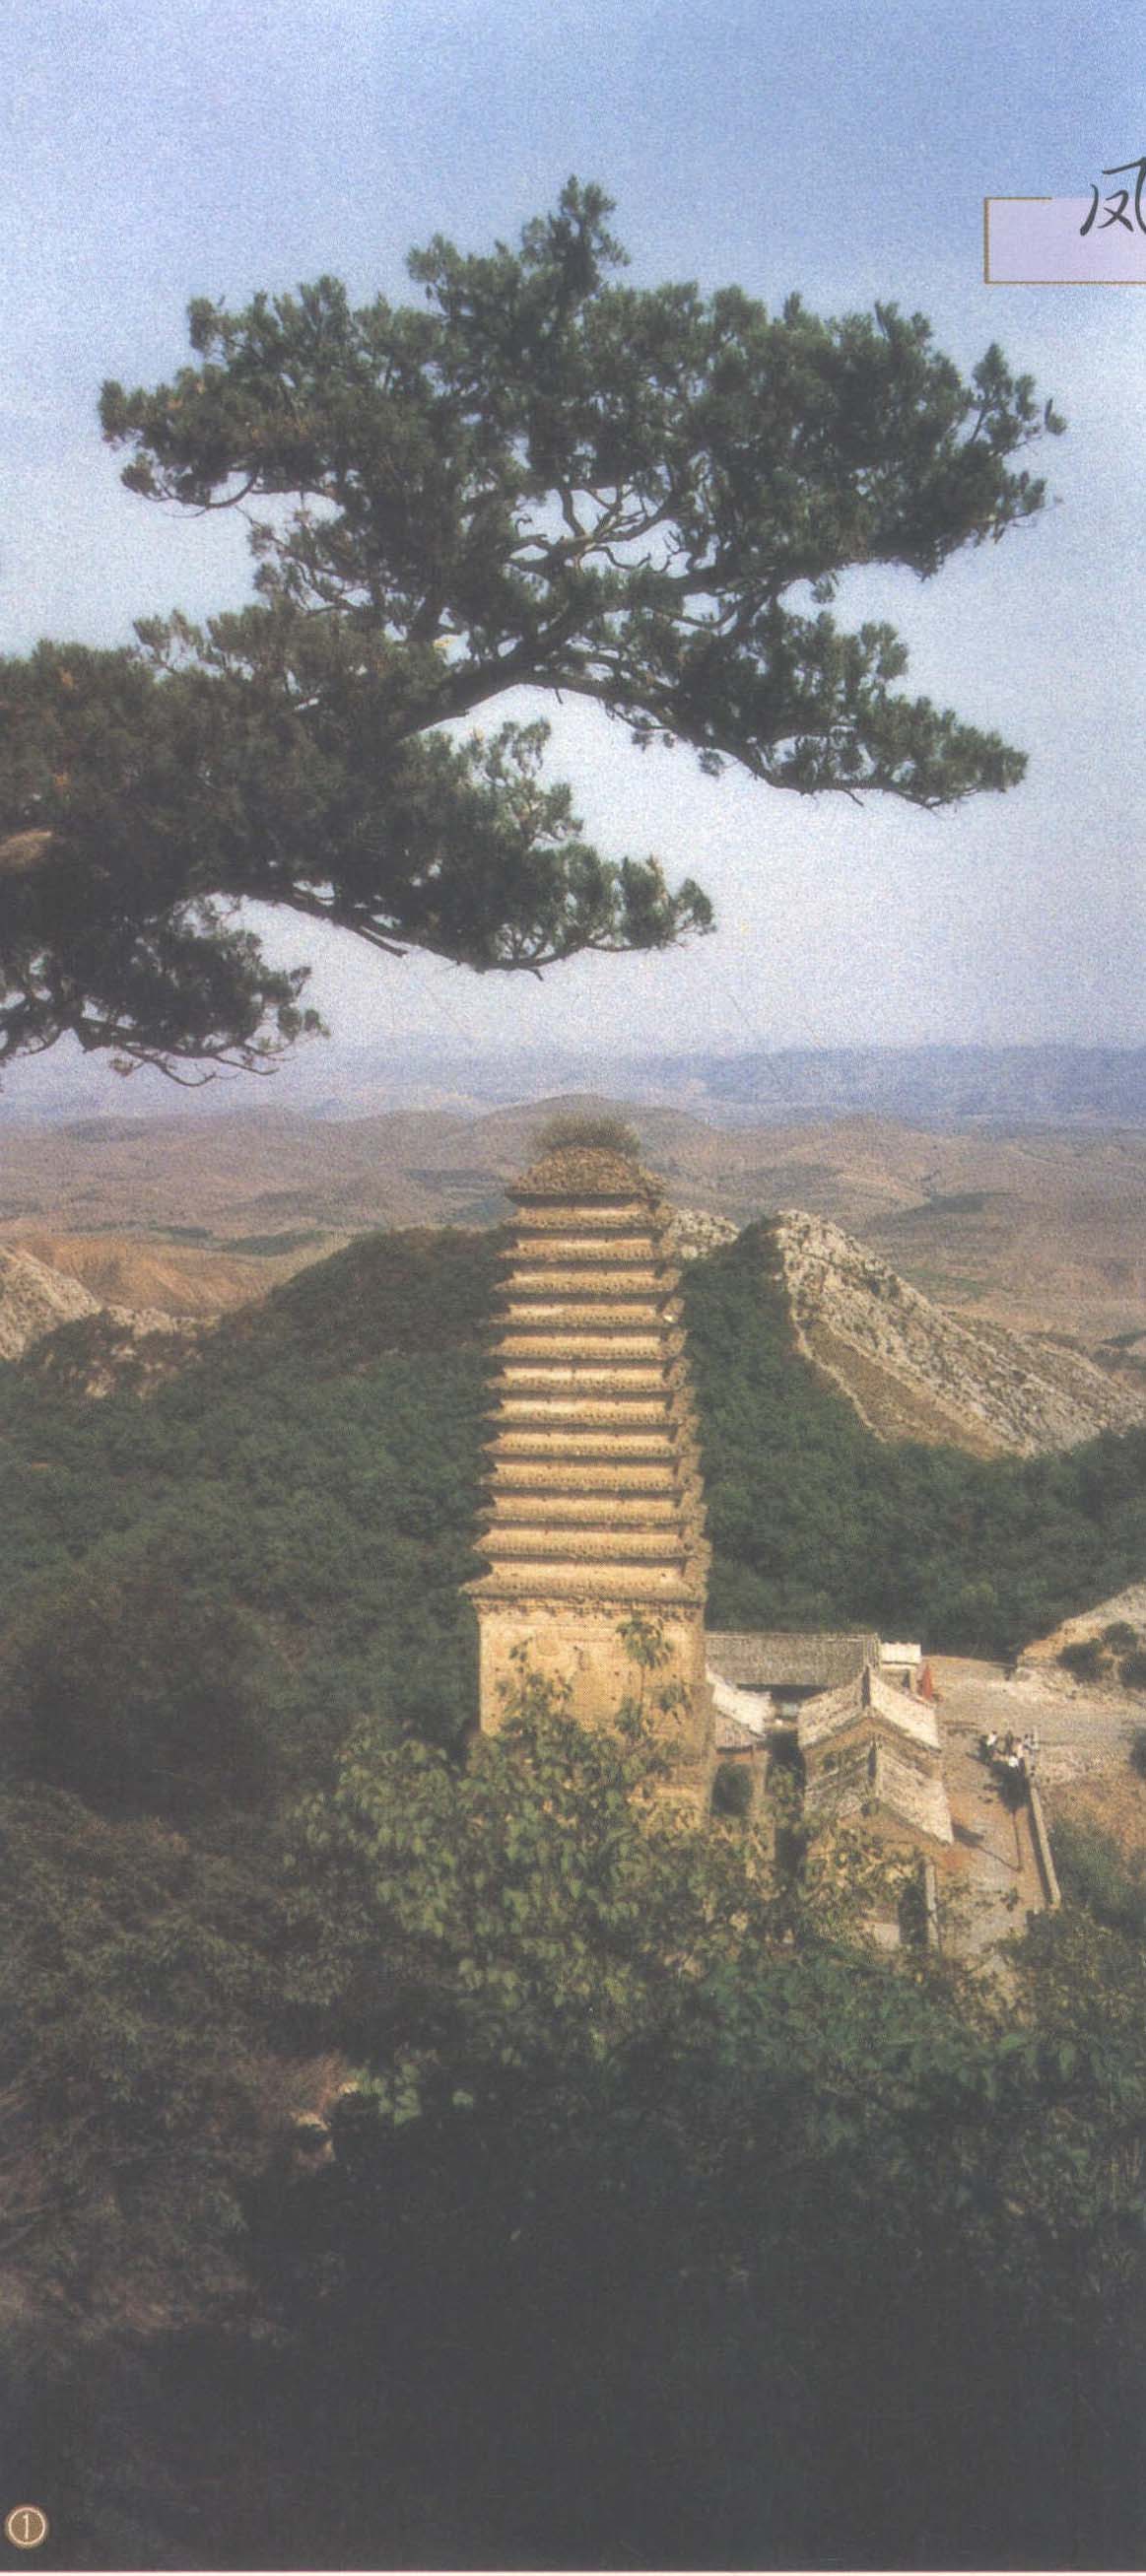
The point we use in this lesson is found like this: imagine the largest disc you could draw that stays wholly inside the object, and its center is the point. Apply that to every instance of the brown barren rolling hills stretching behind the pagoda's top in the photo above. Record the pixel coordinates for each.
(1037, 1227)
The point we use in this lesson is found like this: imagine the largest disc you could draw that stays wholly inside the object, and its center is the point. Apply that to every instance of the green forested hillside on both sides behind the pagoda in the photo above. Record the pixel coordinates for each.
(315, 1472)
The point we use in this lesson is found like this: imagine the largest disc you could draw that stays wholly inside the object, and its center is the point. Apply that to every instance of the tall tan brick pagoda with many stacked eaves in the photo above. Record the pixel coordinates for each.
(596, 1511)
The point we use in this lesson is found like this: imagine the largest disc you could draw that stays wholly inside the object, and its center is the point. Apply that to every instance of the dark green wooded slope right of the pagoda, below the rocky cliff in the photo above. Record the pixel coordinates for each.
(820, 1524)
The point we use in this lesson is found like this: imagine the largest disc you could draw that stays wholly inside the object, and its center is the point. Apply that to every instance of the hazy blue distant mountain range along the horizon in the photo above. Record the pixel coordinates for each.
(923, 1086)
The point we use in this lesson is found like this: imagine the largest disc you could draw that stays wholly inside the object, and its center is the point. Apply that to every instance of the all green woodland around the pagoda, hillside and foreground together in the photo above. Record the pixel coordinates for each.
(666, 2224)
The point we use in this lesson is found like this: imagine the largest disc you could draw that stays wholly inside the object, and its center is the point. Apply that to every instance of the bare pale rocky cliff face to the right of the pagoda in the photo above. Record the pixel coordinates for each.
(913, 1372)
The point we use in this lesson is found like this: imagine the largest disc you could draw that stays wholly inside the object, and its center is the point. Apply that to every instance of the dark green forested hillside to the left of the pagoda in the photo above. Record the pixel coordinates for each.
(282, 1531)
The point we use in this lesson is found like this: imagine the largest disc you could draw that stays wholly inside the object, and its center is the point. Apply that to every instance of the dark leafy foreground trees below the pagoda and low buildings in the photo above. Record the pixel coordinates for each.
(666, 2227)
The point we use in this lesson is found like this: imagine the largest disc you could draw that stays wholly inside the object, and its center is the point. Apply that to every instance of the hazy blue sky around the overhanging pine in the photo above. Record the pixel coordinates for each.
(171, 148)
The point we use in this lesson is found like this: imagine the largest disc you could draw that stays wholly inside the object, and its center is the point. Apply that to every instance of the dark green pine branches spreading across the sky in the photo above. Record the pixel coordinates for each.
(534, 478)
